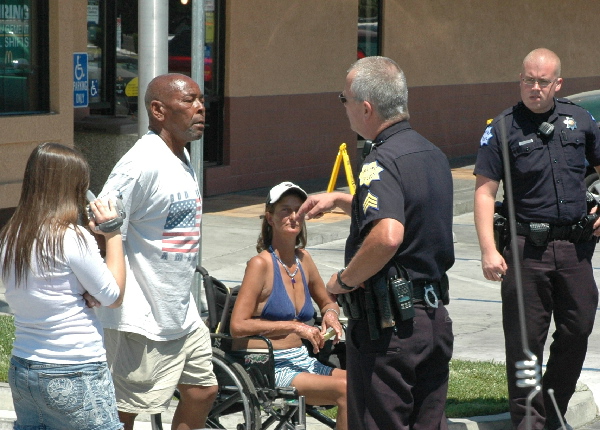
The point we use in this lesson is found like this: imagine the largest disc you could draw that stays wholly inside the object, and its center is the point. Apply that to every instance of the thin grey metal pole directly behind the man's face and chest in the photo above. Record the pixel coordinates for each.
(197, 146)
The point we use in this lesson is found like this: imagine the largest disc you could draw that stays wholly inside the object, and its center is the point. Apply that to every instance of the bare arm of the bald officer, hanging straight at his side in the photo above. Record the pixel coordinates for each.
(492, 263)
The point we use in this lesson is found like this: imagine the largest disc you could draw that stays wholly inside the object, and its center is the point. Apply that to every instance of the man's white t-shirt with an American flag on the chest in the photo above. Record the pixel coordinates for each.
(161, 235)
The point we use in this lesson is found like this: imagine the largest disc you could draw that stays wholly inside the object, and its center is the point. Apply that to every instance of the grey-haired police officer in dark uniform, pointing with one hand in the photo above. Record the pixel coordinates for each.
(399, 338)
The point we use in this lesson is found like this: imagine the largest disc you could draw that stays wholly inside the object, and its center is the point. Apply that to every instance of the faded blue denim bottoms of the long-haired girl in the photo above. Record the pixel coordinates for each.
(62, 396)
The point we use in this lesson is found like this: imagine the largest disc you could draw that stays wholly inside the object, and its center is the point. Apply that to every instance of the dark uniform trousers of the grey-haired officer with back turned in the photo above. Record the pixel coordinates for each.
(400, 381)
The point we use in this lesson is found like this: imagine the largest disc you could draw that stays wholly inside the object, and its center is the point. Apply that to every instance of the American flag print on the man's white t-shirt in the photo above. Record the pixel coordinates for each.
(182, 228)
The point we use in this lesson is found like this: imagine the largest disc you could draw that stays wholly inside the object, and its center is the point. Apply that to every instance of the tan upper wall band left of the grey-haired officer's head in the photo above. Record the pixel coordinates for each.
(276, 47)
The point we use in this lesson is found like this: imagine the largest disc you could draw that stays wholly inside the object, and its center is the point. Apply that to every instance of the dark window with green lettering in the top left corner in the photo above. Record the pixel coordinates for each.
(24, 57)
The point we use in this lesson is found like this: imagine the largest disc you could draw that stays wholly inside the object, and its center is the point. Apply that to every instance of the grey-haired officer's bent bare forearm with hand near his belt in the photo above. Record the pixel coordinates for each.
(377, 249)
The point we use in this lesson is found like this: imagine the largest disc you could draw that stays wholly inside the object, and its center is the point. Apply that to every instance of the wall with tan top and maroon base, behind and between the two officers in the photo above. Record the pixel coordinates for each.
(462, 59)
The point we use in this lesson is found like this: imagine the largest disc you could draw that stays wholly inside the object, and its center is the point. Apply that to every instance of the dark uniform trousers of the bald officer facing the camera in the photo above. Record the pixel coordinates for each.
(557, 279)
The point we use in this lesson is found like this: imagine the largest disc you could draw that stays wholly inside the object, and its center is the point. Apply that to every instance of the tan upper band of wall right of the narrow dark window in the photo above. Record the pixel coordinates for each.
(470, 41)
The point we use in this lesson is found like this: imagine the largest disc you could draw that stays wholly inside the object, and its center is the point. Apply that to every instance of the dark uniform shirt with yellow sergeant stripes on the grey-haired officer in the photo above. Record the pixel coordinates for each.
(407, 178)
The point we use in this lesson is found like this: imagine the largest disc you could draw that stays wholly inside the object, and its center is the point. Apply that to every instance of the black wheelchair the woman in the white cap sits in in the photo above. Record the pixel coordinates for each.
(247, 397)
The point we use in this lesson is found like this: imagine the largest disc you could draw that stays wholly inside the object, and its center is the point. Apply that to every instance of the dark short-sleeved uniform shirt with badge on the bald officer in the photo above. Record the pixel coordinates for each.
(547, 172)
